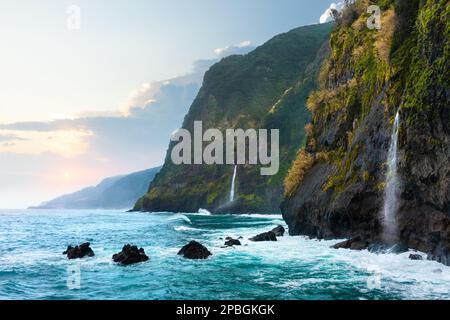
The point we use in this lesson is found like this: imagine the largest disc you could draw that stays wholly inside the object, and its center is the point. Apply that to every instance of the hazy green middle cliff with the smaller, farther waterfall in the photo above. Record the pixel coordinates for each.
(265, 89)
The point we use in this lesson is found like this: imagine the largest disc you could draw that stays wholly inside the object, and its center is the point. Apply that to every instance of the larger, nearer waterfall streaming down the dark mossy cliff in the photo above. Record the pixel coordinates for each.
(391, 191)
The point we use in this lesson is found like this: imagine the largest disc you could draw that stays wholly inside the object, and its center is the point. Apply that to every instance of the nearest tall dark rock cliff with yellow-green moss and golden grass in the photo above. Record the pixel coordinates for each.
(336, 187)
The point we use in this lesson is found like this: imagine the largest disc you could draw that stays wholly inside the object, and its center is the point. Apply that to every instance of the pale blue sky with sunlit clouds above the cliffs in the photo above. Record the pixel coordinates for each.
(84, 99)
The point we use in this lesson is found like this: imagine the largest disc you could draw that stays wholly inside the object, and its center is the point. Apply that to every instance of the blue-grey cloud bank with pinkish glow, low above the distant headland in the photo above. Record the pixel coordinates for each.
(63, 155)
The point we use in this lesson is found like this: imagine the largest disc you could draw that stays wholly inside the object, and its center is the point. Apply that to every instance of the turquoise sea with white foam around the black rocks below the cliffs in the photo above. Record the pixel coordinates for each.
(32, 266)
